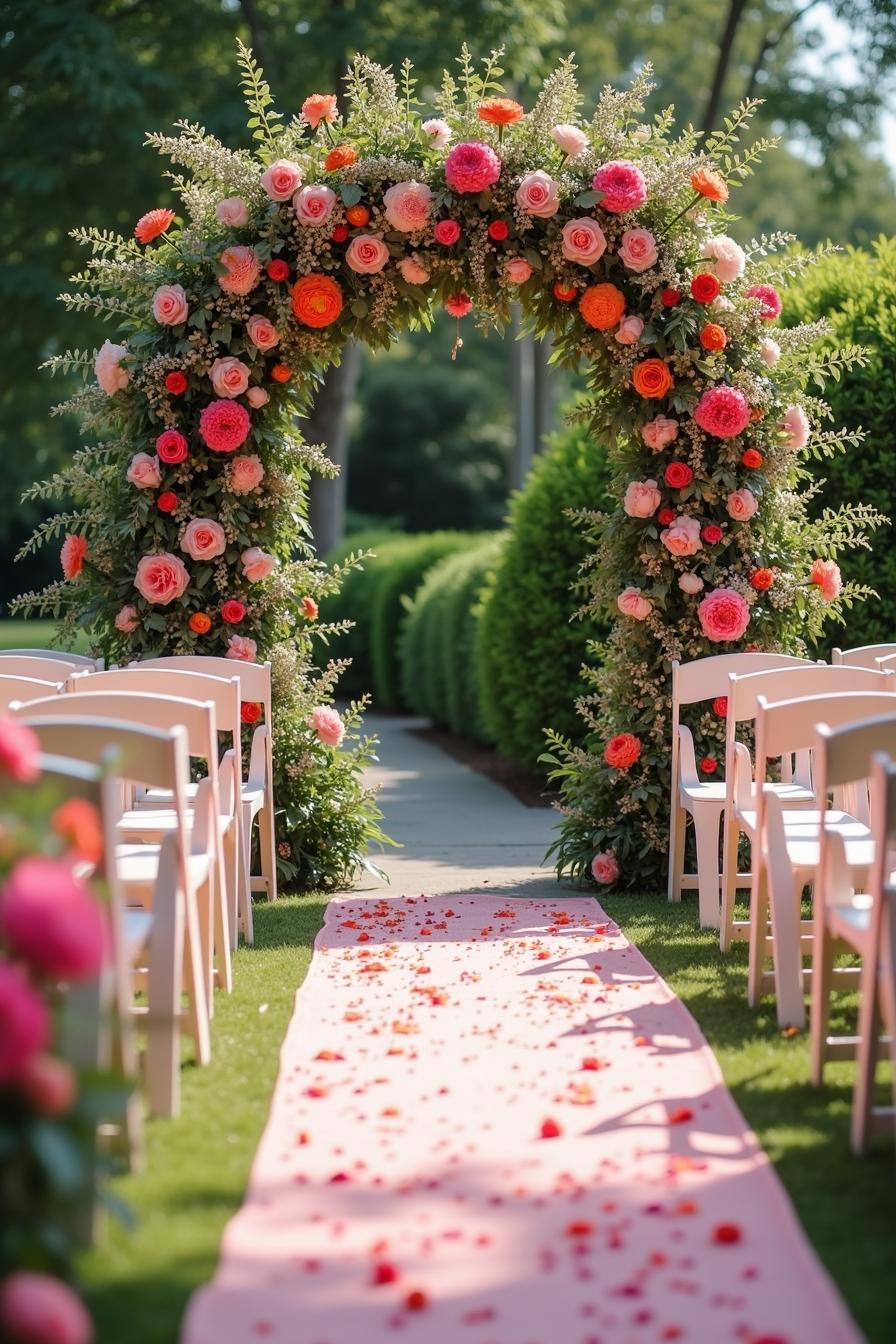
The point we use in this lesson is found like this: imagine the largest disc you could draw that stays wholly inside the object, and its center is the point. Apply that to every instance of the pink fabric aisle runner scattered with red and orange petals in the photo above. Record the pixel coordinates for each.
(495, 1124)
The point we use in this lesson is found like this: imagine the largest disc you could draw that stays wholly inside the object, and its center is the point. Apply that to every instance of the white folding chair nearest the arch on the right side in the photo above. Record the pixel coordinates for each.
(703, 800)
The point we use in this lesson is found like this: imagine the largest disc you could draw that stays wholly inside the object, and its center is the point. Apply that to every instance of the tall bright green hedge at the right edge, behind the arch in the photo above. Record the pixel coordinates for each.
(856, 292)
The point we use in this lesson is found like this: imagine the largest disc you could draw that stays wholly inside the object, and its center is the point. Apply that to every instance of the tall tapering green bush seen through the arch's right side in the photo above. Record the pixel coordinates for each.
(530, 653)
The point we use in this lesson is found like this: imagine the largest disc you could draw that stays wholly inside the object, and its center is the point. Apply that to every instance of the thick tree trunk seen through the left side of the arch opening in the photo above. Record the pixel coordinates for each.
(327, 424)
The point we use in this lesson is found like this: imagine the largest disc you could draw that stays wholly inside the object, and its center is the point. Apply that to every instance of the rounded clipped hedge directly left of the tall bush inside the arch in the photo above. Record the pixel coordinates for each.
(439, 640)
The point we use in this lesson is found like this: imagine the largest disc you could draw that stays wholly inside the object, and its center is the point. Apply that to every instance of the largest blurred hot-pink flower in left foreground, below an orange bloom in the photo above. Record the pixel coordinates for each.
(52, 921)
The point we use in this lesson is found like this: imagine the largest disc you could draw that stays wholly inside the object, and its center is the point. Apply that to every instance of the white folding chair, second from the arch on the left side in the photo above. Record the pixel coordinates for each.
(226, 698)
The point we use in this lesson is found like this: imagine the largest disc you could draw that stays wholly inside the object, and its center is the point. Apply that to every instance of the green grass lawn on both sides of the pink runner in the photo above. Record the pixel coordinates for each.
(139, 1280)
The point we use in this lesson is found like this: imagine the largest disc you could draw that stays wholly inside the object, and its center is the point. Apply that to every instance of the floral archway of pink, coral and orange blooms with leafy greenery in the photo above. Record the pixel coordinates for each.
(190, 529)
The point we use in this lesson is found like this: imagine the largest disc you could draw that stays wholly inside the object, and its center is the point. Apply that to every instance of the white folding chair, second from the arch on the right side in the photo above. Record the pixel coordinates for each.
(796, 787)
